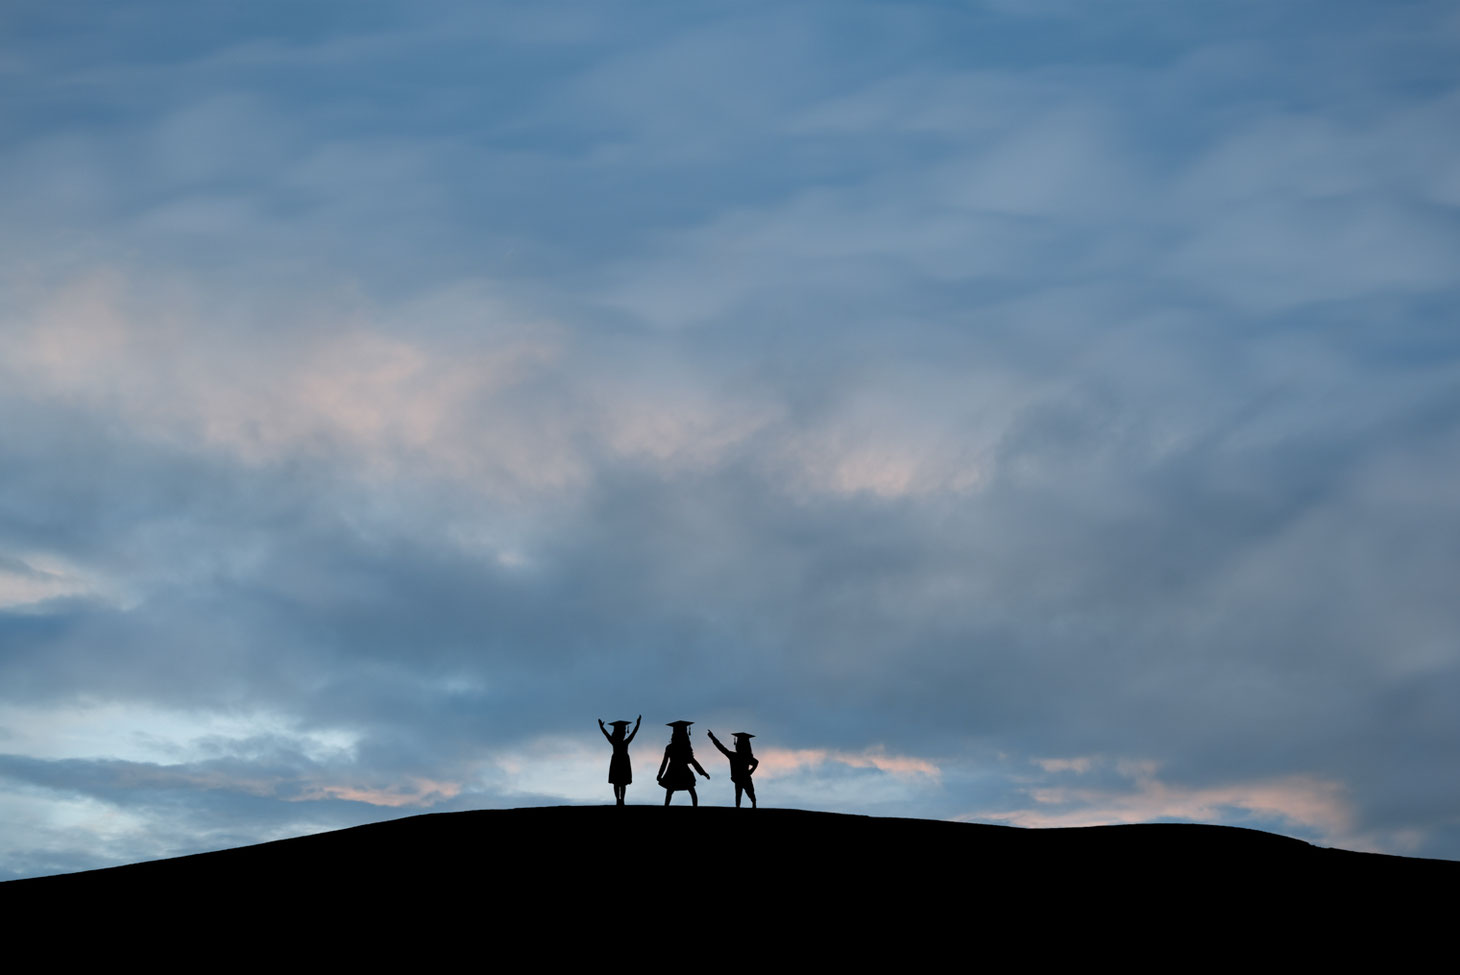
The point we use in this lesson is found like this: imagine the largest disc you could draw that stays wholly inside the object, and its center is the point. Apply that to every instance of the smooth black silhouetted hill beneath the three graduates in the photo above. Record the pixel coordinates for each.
(610, 887)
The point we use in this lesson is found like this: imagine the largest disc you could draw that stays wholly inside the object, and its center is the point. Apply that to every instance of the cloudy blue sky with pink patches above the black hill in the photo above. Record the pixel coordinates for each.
(1031, 412)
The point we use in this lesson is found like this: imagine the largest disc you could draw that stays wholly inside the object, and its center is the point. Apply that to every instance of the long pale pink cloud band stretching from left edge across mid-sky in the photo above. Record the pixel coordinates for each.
(512, 414)
